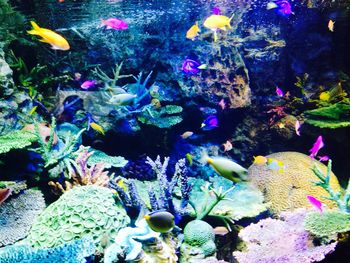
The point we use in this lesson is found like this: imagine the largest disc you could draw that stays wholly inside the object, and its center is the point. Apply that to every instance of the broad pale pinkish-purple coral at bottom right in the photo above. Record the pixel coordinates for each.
(281, 240)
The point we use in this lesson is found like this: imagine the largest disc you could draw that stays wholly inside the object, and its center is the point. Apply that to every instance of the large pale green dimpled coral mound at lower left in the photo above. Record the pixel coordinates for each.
(86, 210)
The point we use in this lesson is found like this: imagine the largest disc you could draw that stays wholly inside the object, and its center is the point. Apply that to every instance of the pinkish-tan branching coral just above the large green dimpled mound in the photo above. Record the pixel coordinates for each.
(83, 174)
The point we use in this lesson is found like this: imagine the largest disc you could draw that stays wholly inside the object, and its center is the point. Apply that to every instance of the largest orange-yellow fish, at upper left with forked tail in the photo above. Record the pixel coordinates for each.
(48, 36)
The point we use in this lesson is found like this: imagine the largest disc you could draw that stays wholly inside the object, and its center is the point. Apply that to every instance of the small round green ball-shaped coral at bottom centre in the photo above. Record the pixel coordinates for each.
(198, 245)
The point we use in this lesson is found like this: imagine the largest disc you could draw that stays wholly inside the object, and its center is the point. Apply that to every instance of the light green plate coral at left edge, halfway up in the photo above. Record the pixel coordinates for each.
(16, 140)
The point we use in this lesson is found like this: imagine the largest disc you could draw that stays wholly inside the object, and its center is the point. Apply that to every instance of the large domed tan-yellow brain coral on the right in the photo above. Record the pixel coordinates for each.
(287, 190)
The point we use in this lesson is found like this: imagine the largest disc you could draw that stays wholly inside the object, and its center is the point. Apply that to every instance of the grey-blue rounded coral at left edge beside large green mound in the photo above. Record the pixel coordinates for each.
(17, 215)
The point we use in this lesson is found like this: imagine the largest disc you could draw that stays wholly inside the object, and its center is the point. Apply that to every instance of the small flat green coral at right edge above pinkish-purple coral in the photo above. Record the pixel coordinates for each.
(328, 223)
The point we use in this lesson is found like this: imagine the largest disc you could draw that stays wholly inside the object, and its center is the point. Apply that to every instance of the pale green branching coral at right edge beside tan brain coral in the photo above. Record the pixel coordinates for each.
(342, 200)
